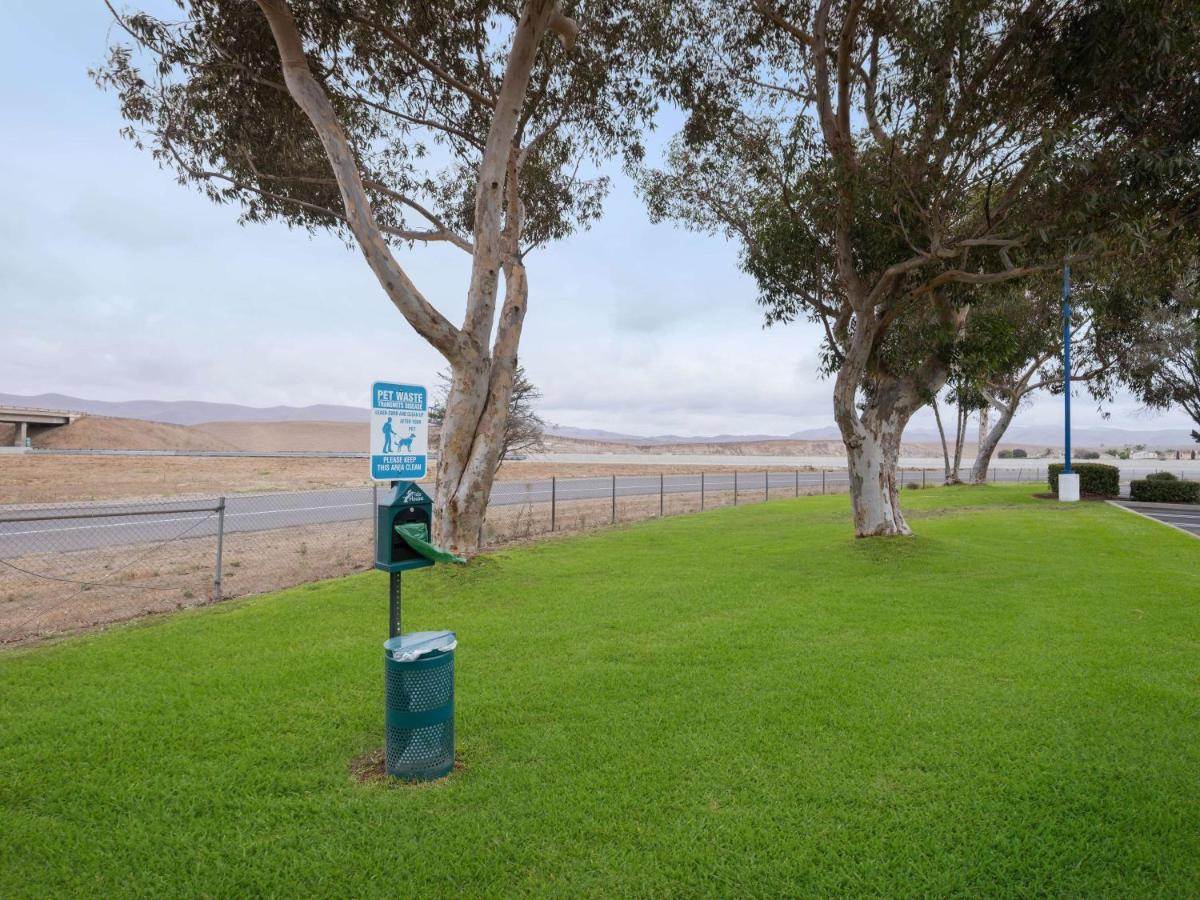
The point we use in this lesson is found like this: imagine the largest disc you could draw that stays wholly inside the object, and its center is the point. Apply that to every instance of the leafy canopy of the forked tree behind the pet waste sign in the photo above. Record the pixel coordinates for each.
(413, 85)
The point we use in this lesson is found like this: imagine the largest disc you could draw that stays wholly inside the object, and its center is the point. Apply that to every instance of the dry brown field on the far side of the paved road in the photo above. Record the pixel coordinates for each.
(71, 479)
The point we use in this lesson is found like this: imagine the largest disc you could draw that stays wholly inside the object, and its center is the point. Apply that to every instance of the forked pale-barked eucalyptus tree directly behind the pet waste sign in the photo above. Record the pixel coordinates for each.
(394, 124)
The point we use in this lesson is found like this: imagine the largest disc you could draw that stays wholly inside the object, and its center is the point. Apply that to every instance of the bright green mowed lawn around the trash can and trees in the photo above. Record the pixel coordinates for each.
(743, 703)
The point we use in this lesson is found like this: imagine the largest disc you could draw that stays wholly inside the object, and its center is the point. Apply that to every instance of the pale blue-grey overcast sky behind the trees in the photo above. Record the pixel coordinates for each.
(117, 284)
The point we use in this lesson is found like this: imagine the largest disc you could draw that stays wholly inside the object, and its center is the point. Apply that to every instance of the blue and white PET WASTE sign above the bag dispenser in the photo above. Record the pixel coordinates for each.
(400, 431)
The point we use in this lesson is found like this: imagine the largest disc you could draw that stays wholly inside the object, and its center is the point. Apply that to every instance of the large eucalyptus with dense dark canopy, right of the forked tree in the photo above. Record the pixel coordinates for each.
(877, 160)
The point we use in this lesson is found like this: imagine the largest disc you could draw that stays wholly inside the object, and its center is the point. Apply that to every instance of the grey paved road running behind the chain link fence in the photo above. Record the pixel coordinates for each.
(88, 526)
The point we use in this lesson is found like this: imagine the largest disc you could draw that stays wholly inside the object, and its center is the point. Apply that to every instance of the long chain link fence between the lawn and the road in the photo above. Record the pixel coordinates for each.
(67, 568)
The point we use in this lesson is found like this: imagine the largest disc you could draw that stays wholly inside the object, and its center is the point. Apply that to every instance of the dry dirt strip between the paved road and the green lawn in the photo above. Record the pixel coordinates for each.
(44, 596)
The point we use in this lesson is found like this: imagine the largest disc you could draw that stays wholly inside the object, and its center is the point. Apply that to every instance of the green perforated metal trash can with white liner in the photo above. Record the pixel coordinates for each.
(419, 698)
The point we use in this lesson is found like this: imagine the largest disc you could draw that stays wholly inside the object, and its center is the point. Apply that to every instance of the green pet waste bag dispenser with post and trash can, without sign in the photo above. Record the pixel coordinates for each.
(418, 667)
